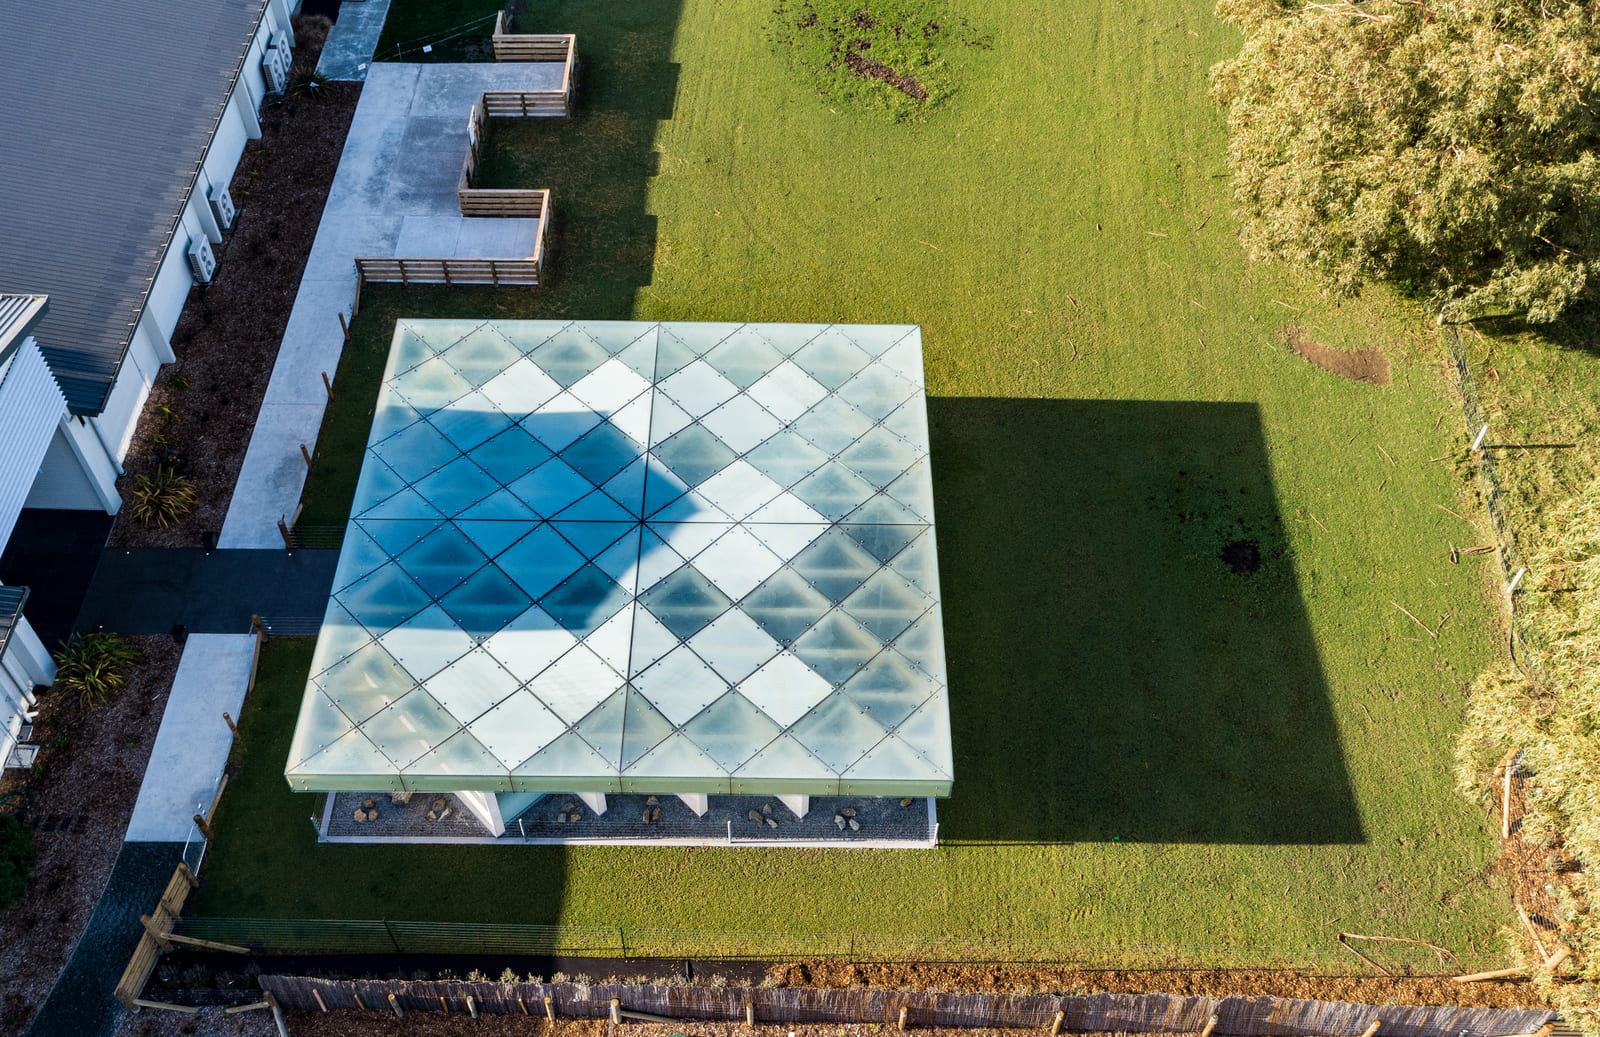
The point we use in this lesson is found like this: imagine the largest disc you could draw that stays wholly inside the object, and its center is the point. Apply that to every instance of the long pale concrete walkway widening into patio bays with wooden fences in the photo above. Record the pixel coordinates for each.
(394, 196)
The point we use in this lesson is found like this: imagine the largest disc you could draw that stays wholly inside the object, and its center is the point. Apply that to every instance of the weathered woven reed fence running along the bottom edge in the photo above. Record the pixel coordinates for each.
(1244, 1017)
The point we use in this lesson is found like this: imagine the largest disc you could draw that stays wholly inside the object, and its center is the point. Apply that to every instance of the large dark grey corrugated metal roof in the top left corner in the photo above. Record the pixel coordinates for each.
(105, 121)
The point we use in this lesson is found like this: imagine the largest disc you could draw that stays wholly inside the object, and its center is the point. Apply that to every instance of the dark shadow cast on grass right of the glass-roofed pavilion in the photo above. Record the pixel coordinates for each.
(1130, 657)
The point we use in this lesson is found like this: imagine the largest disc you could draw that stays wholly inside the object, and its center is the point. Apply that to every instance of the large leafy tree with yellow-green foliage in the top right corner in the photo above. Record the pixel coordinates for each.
(1447, 146)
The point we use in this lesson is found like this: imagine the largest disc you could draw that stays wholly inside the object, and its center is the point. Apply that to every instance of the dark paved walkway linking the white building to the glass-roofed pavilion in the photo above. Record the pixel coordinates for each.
(154, 590)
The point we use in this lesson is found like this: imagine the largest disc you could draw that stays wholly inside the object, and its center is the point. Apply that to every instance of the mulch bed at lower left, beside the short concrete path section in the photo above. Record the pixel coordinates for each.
(79, 804)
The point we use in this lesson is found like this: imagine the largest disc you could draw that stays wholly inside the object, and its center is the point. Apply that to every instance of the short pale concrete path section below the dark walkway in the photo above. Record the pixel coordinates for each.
(193, 745)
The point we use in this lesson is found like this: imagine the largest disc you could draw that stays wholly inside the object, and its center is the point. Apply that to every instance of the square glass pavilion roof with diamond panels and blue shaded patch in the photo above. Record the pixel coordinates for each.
(638, 558)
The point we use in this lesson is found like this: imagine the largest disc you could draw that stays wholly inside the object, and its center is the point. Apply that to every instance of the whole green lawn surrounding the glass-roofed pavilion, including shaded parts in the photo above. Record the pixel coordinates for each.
(1156, 755)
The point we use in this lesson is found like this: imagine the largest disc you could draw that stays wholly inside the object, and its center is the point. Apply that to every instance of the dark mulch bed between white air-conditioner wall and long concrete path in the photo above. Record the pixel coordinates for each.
(204, 407)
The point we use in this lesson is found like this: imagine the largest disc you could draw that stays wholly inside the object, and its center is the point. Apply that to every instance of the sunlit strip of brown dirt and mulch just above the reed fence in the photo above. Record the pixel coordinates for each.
(1206, 983)
